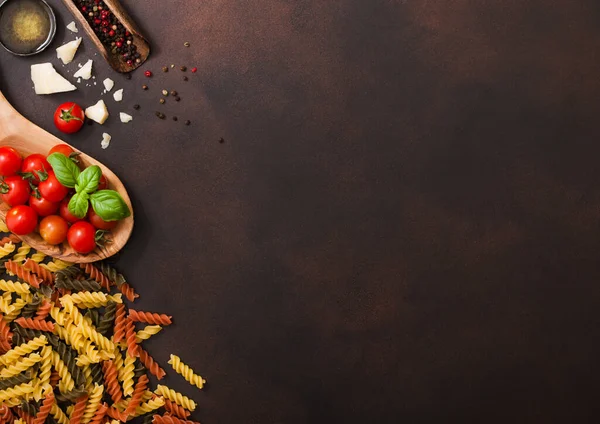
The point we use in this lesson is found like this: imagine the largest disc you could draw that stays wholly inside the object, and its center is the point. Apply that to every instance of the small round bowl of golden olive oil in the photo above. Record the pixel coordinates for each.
(26, 26)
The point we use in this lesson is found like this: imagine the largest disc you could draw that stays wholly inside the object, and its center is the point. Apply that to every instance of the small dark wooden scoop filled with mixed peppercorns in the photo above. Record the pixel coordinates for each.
(114, 59)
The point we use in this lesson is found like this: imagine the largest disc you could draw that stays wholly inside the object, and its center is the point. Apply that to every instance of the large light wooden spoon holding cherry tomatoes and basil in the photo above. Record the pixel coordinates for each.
(16, 131)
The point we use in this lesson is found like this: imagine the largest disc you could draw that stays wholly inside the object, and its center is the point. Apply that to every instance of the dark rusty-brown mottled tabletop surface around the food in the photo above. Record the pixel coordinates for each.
(402, 223)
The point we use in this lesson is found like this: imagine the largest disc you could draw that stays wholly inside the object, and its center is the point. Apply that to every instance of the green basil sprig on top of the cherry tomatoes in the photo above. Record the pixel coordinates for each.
(108, 204)
